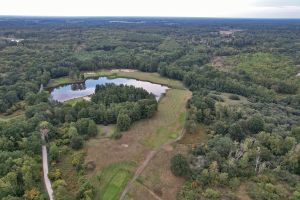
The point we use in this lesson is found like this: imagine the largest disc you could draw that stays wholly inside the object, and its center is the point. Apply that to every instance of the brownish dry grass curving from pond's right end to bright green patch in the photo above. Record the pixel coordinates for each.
(108, 151)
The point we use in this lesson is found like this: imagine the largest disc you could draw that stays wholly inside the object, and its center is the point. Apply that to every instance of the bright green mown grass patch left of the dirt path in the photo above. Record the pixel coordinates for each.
(111, 181)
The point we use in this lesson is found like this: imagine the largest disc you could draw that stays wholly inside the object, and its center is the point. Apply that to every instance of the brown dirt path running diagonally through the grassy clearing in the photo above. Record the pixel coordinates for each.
(141, 168)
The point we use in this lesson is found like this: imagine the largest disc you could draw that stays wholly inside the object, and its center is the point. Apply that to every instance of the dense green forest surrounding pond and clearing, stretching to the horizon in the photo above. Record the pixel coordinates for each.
(244, 84)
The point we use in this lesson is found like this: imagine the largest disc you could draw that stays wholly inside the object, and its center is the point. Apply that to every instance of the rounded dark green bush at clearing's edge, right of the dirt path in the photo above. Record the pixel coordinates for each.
(179, 166)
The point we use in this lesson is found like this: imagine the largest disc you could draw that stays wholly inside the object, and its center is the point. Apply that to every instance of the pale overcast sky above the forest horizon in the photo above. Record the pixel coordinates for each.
(181, 8)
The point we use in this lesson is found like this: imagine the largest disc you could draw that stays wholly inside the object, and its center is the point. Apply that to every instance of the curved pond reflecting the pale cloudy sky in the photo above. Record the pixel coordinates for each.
(75, 90)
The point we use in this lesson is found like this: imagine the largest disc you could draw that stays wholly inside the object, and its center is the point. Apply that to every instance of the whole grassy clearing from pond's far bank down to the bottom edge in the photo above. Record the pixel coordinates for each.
(111, 157)
